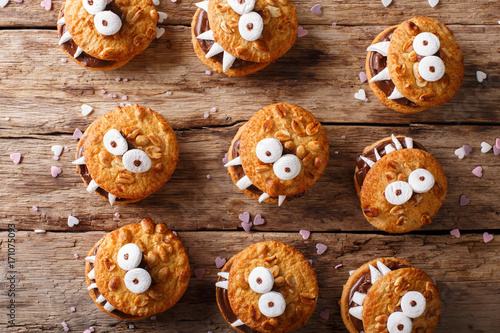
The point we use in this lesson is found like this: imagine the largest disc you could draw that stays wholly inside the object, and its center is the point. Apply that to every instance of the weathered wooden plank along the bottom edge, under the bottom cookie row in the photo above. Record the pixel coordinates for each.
(50, 281)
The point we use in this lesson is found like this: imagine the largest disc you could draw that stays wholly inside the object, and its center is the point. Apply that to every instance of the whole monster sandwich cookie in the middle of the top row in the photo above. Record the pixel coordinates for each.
(240, 37)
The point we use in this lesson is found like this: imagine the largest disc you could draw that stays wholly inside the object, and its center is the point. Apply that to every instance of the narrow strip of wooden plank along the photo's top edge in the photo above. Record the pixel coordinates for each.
(343, 12)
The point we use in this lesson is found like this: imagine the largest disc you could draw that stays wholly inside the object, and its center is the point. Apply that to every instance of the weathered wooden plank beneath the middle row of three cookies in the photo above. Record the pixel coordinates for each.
(192, 202)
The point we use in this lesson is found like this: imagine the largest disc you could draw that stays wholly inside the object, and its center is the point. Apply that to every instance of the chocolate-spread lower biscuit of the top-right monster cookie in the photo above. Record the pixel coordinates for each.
(375, 63)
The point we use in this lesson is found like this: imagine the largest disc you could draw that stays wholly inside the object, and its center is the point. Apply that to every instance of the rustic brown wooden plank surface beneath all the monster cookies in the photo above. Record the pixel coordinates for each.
(42, 97)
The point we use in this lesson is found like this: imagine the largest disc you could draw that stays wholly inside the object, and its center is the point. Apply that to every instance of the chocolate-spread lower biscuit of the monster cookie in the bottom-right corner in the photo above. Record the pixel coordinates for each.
(361, 281)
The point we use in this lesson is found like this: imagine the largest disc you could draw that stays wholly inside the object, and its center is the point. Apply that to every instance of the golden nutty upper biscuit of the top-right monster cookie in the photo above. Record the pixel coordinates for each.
(403, 62)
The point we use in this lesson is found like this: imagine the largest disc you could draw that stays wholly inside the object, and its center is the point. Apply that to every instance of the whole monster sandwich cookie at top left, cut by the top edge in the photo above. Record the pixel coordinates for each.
(103, 35)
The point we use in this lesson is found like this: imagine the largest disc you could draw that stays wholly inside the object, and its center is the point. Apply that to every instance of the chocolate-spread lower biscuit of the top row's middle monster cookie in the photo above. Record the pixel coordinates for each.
(199, 25)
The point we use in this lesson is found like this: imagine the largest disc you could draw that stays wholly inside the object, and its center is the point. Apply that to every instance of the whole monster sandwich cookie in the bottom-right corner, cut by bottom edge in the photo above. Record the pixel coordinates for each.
(389, 295)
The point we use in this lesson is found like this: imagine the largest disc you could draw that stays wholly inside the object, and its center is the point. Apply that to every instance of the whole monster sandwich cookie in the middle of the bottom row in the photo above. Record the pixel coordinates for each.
(268, 287)
